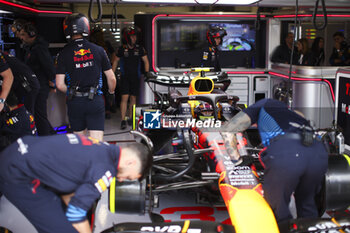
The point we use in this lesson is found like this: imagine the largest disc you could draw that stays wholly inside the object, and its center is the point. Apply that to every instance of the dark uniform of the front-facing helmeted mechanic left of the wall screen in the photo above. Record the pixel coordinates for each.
(130, 77)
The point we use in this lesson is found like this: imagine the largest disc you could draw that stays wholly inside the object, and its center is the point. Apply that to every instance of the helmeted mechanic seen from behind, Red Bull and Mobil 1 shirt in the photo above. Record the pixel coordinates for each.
(80, 65)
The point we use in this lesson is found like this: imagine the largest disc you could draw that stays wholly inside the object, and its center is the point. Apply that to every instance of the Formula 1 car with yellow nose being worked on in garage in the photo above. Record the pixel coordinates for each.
(189, 156)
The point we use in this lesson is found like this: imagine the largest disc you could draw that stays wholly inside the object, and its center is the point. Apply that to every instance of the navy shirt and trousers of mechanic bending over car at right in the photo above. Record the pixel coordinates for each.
(290, 166)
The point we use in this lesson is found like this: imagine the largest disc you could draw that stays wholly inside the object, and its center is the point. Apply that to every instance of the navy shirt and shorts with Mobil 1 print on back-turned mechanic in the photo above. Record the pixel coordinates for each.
(83, 63)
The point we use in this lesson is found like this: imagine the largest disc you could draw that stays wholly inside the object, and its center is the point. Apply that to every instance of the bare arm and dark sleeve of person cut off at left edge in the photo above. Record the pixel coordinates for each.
(6, 82)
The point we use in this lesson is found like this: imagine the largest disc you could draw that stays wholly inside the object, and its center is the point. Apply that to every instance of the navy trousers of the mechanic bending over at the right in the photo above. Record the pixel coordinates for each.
(291, 167)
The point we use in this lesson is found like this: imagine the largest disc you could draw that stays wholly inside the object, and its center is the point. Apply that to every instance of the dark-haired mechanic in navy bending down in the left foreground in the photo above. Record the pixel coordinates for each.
(38, 174)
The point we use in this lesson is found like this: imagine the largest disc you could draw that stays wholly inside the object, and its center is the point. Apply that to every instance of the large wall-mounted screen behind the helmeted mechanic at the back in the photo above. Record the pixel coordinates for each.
(181, 42)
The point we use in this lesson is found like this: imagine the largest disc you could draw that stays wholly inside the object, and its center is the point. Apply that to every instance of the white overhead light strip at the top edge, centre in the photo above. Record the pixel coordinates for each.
(216, 2)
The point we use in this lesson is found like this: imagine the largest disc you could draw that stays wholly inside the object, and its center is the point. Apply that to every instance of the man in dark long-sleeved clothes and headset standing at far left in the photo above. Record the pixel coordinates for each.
(38, 58)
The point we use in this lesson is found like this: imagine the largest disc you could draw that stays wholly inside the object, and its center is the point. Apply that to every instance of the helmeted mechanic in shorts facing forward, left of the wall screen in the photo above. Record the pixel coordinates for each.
(130, 55)
